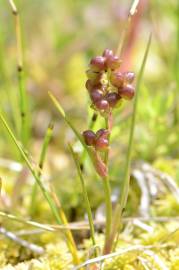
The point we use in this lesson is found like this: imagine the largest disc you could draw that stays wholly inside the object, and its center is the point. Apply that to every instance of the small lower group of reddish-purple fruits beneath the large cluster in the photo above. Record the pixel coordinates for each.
(98, 140)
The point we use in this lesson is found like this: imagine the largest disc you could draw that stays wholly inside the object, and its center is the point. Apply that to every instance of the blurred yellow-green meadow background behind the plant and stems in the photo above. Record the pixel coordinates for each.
(59, 38)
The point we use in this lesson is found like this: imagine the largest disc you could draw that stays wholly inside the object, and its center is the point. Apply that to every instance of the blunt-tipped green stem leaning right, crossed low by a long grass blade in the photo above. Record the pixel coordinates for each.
(45, 145)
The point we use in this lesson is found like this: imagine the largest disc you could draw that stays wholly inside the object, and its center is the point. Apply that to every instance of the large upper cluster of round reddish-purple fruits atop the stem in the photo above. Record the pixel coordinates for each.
(106, 84)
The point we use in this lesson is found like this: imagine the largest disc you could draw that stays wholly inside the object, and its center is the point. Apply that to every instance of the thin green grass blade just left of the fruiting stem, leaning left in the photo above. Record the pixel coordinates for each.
(85, 195)
